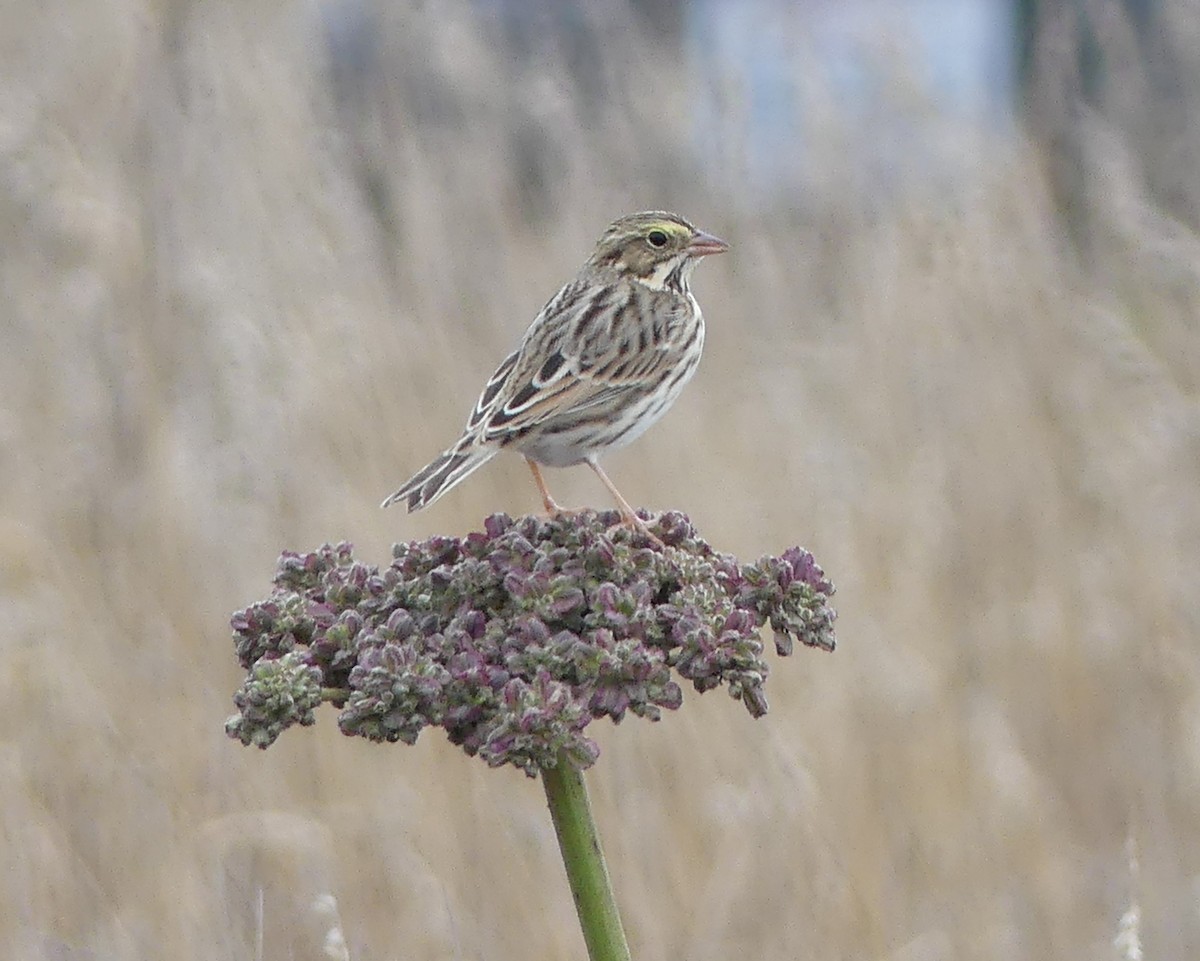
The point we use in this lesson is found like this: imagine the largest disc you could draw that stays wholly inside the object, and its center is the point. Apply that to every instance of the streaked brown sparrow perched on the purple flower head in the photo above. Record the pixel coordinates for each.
(602, 363)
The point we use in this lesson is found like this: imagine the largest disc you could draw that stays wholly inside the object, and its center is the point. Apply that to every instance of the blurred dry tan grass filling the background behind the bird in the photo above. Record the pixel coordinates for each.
(244, 295)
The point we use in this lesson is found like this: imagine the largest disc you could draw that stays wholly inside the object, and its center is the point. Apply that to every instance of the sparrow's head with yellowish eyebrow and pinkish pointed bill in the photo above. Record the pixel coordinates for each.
(656, 248)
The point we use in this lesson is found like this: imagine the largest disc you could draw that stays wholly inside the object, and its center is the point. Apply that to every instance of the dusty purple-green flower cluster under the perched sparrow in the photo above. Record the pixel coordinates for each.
(515, 638)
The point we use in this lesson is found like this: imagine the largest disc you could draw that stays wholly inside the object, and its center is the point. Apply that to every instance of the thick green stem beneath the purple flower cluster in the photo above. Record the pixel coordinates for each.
(578, 839)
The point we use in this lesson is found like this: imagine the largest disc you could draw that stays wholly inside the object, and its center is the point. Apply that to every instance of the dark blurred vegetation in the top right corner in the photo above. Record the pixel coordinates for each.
(1112, 83)
